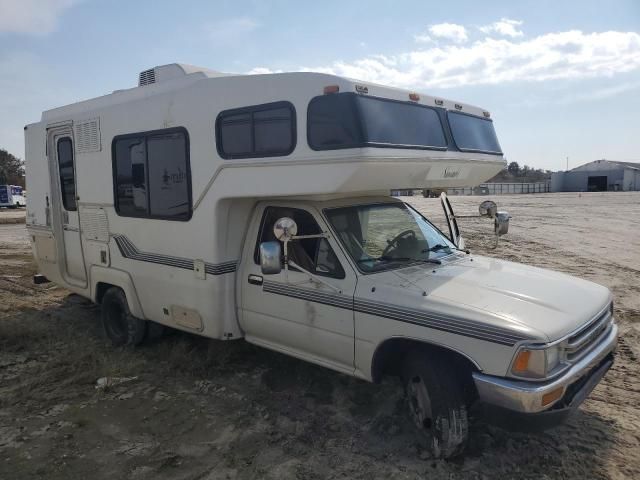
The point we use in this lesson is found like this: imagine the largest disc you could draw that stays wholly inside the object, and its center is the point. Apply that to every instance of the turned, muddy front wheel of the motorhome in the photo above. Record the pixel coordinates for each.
(435, 397)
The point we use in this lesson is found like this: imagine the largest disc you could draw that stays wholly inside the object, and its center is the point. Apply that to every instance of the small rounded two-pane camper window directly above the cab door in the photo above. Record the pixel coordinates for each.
(267, 130)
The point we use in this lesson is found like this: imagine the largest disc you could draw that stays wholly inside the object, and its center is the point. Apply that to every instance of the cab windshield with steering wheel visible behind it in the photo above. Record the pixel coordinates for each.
(387, 235)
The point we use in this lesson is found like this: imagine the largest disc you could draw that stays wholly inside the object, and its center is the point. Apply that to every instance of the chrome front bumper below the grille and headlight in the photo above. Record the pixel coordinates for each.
(527, 397)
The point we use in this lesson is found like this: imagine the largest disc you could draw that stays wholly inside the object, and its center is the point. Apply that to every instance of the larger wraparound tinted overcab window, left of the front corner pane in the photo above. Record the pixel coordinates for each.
(348, 120)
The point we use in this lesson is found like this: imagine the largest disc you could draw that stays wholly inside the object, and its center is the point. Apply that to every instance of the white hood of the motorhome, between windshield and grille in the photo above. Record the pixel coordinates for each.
(533, 302)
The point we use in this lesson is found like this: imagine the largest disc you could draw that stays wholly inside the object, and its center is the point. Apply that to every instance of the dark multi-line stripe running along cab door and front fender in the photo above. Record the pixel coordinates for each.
(436, 321)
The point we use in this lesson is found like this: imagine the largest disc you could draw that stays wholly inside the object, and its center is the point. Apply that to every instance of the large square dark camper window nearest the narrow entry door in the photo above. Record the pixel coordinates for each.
(152, 176)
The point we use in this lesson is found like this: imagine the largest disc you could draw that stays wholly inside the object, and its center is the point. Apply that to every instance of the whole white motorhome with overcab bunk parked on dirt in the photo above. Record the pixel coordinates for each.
(257, 207)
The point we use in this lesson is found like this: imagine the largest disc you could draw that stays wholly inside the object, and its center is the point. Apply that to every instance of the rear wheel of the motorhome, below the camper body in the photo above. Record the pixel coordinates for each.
(120, 326)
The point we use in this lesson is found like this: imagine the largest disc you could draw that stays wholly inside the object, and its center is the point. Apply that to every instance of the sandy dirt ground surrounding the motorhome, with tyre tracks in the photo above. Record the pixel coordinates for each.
(199, 409)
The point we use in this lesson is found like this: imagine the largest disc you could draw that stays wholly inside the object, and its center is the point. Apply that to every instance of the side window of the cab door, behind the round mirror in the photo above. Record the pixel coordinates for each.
(313, 254)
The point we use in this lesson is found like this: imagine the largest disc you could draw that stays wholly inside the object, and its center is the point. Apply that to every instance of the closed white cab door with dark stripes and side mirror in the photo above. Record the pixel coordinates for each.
(292, 312)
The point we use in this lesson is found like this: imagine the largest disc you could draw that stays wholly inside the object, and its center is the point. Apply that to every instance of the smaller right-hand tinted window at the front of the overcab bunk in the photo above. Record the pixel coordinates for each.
(473, 133)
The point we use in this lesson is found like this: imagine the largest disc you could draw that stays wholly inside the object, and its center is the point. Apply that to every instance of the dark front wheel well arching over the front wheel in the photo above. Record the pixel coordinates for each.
(388, 359)
